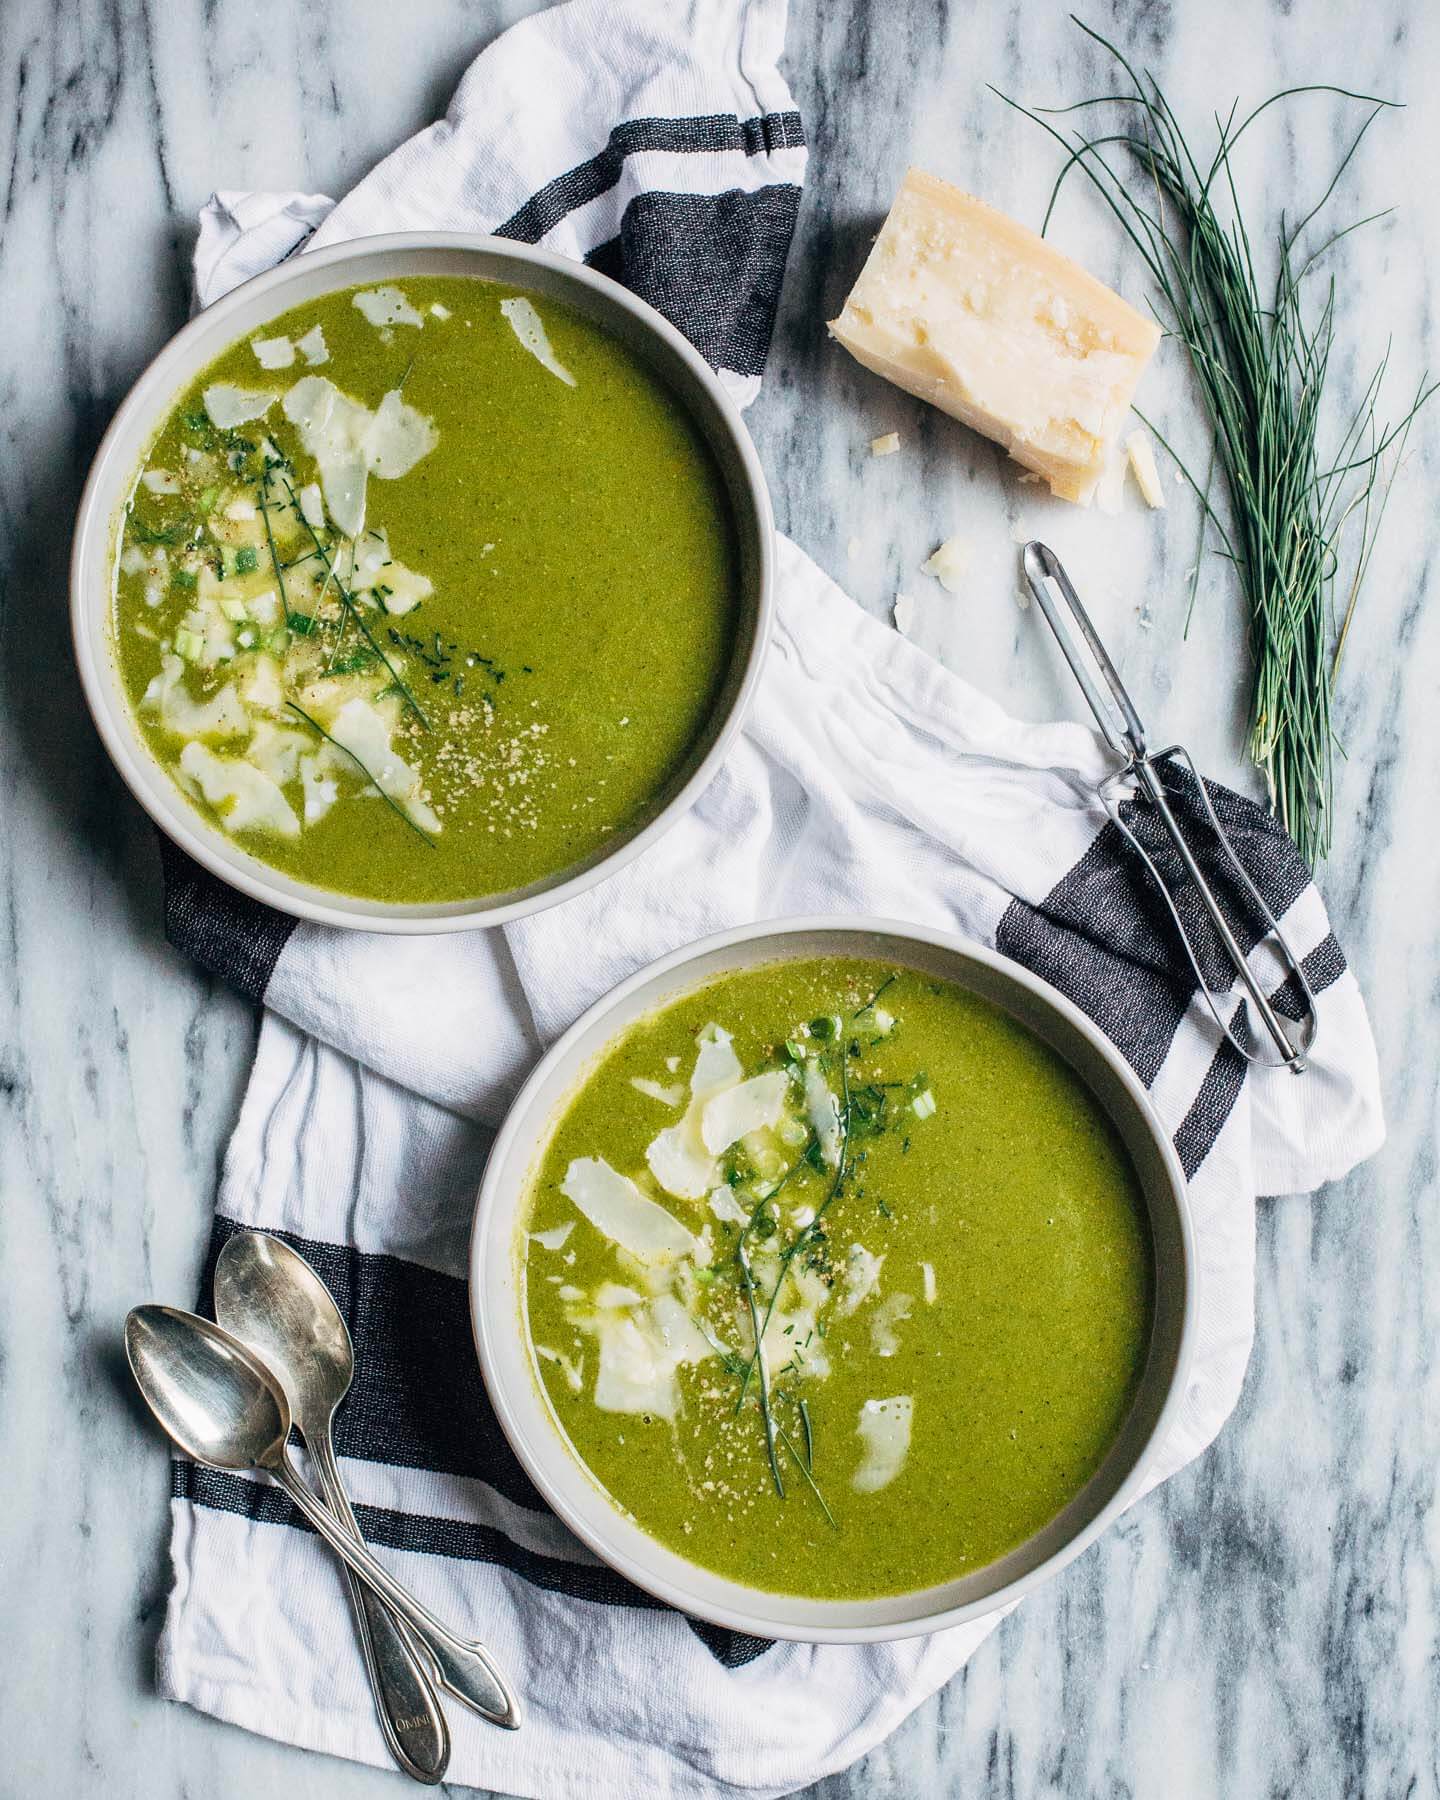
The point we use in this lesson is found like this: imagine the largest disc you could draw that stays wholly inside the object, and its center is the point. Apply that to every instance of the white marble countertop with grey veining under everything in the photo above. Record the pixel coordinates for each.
(1263, 1624)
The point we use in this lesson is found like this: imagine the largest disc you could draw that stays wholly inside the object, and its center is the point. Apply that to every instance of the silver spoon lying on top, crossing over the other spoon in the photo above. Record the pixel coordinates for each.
(224, 1408)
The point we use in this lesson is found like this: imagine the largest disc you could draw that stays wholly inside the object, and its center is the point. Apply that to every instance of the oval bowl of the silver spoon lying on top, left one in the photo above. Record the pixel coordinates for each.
(213, 1399)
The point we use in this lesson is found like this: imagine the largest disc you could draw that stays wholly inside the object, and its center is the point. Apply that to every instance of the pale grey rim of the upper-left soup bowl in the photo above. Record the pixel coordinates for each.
(147, 778)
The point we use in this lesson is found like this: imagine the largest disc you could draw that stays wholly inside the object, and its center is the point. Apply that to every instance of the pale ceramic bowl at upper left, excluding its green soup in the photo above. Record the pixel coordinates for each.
(246, 310)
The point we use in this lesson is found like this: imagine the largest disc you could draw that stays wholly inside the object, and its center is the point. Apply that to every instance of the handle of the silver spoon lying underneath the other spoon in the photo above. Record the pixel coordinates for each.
(404, 1693)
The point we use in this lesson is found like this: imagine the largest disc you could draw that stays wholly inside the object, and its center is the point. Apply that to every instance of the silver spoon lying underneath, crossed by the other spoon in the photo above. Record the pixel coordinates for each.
(271, 1299)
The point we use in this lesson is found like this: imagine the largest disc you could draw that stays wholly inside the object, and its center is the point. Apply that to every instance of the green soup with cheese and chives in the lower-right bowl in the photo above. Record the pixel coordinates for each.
(921, 1216)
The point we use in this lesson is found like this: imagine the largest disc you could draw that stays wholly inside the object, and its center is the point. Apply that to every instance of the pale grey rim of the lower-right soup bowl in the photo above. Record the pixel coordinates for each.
(742, 1617)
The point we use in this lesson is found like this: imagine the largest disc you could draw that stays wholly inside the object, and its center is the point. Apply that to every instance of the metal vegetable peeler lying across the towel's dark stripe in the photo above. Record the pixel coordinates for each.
(1140, 780)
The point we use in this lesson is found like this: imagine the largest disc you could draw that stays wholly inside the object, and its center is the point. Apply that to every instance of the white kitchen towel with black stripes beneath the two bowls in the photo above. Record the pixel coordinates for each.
(660, 141)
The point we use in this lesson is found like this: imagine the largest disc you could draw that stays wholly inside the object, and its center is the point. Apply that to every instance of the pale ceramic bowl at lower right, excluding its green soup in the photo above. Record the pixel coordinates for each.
(508, 1362)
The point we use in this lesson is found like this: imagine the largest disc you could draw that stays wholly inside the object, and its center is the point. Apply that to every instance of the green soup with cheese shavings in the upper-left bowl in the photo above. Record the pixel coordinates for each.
(427, 591)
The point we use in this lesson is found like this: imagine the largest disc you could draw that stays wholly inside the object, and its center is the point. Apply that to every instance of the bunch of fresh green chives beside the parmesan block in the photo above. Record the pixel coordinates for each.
(1261, 352)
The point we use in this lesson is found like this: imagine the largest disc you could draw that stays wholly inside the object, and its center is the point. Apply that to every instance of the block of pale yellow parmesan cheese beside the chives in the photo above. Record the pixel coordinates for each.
(989, 323)
